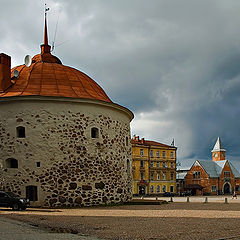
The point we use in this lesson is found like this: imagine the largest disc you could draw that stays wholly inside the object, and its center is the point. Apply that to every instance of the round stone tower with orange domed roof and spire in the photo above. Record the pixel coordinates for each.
(63, 142)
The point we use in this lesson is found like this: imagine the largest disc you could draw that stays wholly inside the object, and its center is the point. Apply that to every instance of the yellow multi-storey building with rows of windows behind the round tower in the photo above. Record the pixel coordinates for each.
(154, 167)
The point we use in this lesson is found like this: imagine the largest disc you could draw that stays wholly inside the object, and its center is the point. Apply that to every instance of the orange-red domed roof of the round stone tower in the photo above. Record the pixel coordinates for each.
(48, 77)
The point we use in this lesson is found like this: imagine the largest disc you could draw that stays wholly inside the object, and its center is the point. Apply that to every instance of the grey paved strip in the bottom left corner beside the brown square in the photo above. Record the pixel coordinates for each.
(16, 230)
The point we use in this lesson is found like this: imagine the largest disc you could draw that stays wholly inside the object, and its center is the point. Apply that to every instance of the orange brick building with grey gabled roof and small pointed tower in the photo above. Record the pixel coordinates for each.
(218, 176)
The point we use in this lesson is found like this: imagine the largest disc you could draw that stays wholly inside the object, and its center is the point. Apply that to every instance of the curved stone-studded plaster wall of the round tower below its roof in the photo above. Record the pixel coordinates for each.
(75, 169)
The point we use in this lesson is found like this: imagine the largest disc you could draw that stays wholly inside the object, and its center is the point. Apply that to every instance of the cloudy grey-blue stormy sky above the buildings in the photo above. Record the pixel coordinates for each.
(174, 63)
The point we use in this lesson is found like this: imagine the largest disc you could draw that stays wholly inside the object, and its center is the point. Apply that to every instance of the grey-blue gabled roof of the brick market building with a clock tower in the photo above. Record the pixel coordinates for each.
(214, 169)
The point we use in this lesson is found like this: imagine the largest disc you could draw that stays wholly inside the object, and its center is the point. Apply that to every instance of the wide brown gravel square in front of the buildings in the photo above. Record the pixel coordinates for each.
(177, 220)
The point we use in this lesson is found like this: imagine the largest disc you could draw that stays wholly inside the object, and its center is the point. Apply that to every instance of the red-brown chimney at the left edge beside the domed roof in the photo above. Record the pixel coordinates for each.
(5, 72)
